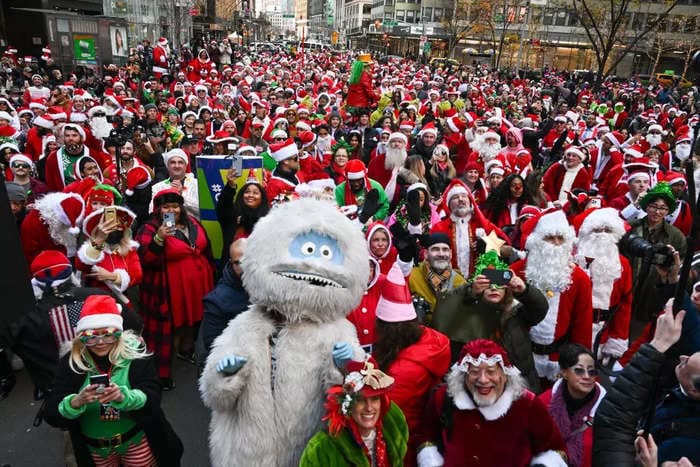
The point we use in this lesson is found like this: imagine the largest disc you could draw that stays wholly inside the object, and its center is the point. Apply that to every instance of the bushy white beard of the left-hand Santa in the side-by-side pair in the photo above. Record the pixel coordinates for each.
(548, 266)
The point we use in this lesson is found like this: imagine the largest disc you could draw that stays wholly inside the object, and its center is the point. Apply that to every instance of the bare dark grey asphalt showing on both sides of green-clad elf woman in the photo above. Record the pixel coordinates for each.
(23, 445)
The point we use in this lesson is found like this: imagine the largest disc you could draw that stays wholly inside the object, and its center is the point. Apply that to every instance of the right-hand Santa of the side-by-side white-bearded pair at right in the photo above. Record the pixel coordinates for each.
(599, 232)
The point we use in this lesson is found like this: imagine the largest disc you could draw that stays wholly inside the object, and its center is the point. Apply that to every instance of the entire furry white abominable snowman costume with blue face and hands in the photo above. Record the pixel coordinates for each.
(305, 267)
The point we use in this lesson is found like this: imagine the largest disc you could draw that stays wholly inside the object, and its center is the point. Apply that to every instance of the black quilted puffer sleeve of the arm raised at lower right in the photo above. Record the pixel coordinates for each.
(627, 400)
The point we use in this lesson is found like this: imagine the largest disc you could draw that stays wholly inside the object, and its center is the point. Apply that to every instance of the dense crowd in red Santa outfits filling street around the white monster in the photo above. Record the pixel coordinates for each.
(524, 238)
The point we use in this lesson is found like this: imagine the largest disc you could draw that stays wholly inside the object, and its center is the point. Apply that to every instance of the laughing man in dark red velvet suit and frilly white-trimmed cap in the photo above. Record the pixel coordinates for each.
(486, 404)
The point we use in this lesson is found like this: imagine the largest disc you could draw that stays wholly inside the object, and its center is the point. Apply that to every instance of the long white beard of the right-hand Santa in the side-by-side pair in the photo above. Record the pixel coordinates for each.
(605, 267)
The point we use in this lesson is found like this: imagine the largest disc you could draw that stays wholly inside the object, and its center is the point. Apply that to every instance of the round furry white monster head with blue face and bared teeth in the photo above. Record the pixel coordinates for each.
(307, 261)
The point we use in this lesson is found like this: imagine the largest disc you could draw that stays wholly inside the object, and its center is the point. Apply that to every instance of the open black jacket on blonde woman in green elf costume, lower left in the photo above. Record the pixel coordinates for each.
(165, 444)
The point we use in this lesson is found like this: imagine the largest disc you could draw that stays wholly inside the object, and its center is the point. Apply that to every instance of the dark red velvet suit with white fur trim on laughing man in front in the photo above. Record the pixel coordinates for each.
(515, 431)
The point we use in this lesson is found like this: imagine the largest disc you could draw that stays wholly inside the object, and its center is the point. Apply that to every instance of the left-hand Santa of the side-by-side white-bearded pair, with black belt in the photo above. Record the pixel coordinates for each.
(549, 240)
